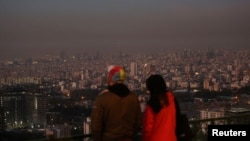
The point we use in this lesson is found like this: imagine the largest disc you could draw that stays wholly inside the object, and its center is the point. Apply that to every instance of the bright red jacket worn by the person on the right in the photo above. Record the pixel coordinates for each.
(160, 126)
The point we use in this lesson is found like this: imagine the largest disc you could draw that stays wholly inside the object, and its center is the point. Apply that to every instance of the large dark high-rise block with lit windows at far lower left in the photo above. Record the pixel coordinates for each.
(21, 109)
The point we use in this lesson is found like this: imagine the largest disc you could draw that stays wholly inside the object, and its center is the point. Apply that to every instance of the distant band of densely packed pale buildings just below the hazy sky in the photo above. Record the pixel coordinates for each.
(209, 69)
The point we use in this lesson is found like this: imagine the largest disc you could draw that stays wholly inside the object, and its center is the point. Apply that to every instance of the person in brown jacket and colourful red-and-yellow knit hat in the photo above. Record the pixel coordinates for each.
(116, 114)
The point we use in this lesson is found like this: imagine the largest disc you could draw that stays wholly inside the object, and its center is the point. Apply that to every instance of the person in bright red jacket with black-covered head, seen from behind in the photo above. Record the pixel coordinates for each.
(159, 119)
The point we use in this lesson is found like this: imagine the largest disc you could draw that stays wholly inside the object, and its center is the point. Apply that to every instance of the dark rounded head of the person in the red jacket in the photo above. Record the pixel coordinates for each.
(156, 84)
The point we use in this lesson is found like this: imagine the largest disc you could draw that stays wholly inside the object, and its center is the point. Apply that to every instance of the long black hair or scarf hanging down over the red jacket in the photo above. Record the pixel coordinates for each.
(157, 88)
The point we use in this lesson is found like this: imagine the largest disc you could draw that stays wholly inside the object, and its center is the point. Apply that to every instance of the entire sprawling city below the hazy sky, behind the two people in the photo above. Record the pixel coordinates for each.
(53, 95)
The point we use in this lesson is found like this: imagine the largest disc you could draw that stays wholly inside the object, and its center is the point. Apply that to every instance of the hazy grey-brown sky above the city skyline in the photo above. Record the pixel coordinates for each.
(33, 27)
